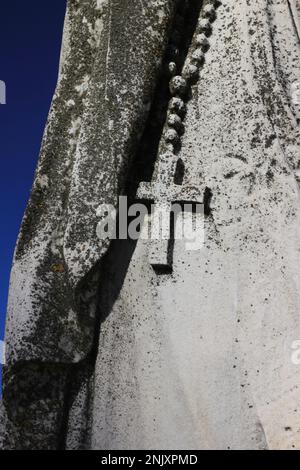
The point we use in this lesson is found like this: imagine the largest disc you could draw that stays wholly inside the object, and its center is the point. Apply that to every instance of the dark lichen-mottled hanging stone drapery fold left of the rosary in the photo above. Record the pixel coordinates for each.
(98, 113)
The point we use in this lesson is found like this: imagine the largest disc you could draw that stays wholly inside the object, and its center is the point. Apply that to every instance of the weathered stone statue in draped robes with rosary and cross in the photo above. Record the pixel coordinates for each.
(118, 344)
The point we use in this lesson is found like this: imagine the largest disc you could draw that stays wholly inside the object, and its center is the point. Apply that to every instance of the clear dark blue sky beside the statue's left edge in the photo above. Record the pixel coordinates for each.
(30, 38)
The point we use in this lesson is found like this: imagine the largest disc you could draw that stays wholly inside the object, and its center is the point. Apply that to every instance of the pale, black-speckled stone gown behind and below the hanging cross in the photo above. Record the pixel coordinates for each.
(202, 358)
